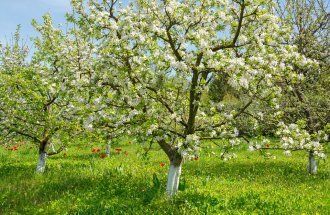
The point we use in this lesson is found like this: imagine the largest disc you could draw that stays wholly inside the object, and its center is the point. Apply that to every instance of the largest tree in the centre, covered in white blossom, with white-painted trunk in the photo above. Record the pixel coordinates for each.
(162, 55)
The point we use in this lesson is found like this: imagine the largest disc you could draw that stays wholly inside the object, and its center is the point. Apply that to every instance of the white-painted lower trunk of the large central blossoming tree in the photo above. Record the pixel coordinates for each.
(173, 179)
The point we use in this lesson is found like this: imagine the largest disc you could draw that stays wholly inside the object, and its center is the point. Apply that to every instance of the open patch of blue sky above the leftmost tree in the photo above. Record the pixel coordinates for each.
(14, 12)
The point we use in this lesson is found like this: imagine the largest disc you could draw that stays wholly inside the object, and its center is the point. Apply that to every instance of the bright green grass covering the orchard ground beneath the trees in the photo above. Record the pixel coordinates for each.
(83, 183)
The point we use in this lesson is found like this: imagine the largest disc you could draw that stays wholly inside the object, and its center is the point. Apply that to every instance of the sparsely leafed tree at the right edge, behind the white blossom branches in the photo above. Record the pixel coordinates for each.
(308, 100)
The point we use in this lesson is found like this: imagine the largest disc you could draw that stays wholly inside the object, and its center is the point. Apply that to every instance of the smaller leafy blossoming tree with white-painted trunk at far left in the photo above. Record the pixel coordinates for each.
(36, 94)
